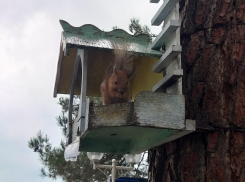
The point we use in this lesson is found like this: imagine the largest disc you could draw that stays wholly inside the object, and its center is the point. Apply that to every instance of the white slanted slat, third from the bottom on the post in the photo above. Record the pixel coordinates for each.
(166, 32)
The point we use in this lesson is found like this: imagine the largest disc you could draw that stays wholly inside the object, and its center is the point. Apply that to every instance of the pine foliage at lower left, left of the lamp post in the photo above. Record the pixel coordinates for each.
(54, 164)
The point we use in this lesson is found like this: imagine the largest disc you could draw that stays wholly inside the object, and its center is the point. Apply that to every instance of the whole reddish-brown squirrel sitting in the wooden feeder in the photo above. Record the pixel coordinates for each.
(115, 86)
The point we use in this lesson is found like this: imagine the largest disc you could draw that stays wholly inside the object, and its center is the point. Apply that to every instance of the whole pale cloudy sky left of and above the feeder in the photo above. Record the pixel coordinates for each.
(29, 46)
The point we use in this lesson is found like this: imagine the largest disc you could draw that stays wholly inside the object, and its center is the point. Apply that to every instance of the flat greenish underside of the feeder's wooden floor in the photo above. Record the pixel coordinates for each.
(130, 139)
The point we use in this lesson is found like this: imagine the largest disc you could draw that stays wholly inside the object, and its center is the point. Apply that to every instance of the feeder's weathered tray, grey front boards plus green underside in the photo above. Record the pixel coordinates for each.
(152, 119)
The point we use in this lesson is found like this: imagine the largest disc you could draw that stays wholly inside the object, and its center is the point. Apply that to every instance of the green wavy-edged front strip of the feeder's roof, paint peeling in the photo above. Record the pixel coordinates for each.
(89, 36)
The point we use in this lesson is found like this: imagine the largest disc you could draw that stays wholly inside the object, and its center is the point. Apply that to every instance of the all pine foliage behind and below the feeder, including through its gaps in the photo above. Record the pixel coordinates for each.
(54, 164)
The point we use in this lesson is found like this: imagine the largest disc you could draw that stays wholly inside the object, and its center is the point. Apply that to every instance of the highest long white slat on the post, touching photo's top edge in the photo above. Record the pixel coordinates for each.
(163, 12)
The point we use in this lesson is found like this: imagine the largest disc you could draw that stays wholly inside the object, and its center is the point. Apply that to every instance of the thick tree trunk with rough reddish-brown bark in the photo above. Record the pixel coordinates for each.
(212, 37)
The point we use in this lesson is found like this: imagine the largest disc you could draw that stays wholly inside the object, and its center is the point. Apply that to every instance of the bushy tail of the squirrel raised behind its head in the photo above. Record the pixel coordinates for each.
(123, 60)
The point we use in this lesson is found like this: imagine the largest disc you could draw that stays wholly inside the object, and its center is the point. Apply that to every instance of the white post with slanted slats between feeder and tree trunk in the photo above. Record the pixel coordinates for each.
(168, 41)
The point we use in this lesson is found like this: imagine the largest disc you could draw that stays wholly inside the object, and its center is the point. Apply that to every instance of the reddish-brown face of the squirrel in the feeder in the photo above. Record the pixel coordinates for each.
(119, 81)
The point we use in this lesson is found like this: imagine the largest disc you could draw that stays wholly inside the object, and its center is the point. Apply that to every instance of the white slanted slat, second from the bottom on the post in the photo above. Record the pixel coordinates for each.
(166, 58)
